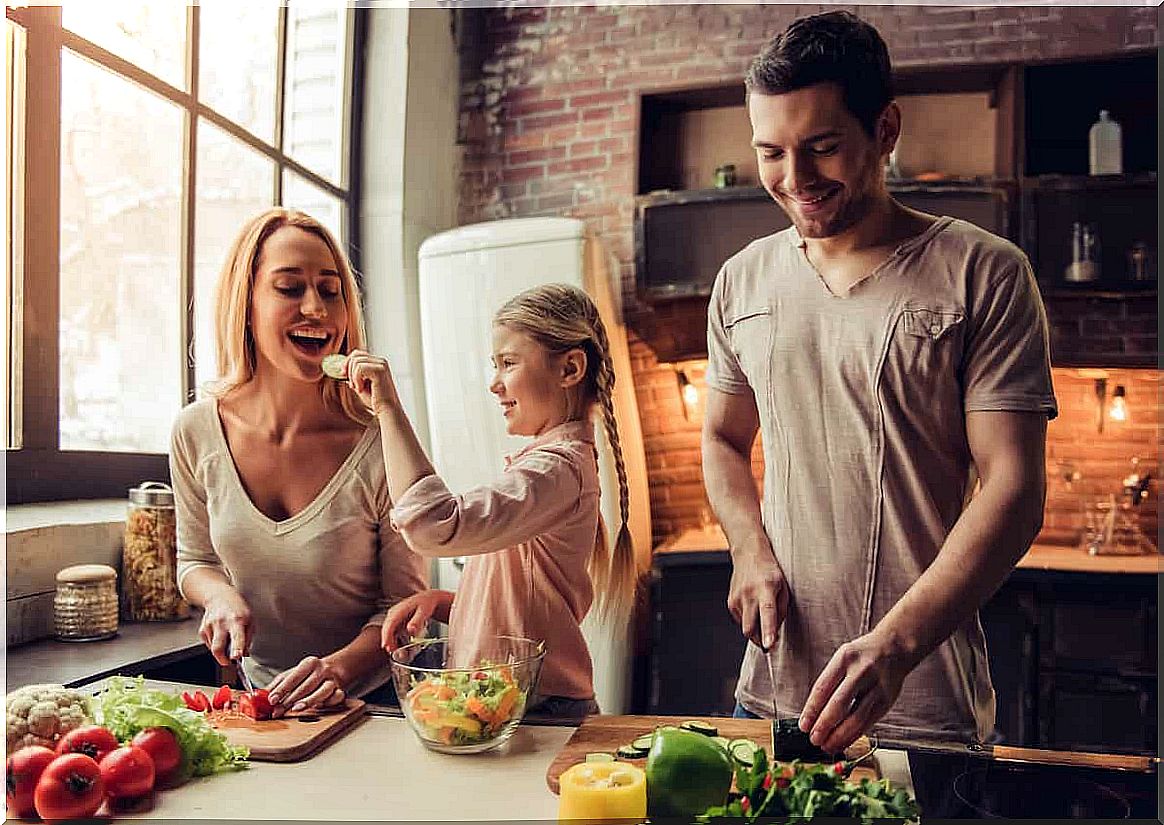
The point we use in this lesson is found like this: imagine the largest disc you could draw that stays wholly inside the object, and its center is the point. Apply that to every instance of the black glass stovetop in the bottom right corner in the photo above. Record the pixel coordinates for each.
(949, 786)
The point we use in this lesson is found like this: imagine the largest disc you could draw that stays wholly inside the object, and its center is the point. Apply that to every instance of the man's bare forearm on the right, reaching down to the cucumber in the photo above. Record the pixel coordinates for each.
(989, 539)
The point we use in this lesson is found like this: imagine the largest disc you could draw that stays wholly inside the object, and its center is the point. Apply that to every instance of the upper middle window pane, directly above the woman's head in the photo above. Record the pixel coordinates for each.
(238, 51)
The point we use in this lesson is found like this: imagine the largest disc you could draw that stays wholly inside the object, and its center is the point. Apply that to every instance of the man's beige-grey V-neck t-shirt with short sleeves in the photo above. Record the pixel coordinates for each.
(862, 402)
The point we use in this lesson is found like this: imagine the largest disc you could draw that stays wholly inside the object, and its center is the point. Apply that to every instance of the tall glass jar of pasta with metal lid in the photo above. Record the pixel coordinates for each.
(150, 560)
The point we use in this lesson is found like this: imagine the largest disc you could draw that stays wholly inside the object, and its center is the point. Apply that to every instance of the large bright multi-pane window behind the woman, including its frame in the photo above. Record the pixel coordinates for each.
(159, 131)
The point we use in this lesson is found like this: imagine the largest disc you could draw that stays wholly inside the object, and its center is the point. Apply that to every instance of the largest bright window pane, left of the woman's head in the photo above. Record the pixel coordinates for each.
(120, 241)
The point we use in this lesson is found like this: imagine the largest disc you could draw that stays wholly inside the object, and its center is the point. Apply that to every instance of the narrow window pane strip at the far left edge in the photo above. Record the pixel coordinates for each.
(13, 224)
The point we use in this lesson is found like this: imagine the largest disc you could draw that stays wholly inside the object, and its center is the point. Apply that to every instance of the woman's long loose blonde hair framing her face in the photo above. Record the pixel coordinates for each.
(232, 308)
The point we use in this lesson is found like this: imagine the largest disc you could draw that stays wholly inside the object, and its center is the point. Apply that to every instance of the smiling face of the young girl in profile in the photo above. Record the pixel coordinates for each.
(529, 383)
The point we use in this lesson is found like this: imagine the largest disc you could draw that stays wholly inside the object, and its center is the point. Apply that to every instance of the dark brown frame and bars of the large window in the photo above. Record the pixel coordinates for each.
(39, 471)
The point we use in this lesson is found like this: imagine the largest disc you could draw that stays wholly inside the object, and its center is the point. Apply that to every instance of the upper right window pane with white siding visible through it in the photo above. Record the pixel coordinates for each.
(315, 94)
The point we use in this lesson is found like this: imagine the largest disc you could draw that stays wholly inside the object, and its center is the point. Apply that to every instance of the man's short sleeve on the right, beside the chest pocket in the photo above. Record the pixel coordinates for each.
(1007, 365)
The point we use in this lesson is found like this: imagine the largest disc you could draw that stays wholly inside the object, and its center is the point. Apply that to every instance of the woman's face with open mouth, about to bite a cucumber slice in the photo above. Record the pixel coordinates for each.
(297, 310)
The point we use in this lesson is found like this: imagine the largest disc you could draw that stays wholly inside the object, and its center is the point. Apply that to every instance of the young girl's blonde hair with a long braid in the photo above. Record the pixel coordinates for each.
(562, 318)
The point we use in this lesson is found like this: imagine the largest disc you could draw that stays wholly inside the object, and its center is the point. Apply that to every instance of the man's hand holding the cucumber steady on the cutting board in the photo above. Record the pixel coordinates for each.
(856, 689)
